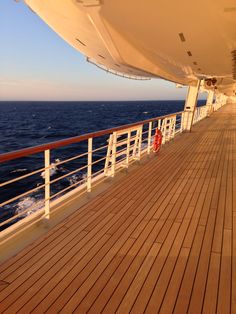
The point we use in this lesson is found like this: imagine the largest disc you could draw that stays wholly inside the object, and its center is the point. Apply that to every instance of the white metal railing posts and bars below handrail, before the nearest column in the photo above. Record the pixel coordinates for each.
(120, 149)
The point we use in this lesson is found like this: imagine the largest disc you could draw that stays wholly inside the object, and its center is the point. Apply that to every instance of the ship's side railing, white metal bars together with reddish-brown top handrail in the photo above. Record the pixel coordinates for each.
(120, 147)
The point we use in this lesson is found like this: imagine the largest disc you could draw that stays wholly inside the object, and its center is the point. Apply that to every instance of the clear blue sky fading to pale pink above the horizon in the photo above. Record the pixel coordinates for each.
(36, 64)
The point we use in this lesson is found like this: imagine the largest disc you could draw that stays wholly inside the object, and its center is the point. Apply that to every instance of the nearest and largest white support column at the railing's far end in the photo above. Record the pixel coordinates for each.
(190, 105)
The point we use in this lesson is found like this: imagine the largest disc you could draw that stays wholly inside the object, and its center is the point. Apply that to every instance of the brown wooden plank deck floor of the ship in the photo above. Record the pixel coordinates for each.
(161, 240)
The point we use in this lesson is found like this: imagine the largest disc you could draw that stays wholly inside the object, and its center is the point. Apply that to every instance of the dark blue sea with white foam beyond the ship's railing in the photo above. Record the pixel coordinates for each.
(25, 124)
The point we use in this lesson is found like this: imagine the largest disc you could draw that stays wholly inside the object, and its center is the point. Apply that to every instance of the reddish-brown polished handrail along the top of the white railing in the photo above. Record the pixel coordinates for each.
(75, 139)
